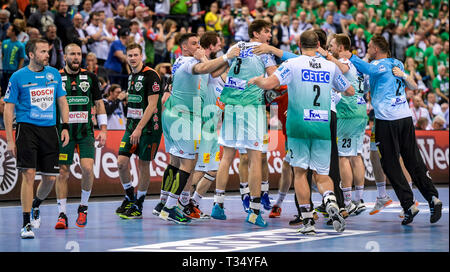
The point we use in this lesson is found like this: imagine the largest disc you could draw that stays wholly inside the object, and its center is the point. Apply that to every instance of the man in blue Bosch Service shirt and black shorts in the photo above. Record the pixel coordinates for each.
(33, 93)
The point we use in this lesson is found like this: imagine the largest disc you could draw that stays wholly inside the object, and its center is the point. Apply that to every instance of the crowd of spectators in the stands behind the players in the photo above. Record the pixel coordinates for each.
(417, 31)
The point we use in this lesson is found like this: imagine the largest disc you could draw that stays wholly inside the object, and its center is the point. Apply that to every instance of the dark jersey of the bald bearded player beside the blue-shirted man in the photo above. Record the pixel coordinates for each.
(82, 91)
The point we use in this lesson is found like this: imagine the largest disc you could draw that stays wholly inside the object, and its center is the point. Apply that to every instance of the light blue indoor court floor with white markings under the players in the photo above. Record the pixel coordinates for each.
(106, 232)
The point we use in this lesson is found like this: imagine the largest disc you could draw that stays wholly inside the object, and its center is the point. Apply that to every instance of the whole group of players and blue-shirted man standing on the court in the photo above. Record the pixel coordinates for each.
(221, 102)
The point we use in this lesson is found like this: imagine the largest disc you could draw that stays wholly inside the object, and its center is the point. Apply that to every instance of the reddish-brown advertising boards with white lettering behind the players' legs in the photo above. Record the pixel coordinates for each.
(432, 144)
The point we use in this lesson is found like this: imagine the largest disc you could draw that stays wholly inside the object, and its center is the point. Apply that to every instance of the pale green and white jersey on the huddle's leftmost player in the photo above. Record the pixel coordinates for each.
(185, 86)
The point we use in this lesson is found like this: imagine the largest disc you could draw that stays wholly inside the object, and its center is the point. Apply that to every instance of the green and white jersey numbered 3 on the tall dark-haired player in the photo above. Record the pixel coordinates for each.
(243, 68)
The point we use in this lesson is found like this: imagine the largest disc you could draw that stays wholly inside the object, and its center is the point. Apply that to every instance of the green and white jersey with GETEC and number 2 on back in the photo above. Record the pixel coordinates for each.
(310, 81)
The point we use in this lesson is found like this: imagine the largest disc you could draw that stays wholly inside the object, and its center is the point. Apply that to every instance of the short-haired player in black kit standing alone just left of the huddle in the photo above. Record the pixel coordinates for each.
(143, 131)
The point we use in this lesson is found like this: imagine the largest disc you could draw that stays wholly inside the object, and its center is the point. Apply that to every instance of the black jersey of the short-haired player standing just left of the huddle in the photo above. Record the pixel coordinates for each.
(141, 85)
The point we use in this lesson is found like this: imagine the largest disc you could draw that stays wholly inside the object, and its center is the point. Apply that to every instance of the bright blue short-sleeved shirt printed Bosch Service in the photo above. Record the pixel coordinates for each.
(34, 95)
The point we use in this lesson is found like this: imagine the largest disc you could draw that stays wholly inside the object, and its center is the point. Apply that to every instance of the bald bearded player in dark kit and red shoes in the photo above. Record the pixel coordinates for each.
(83, 93)
